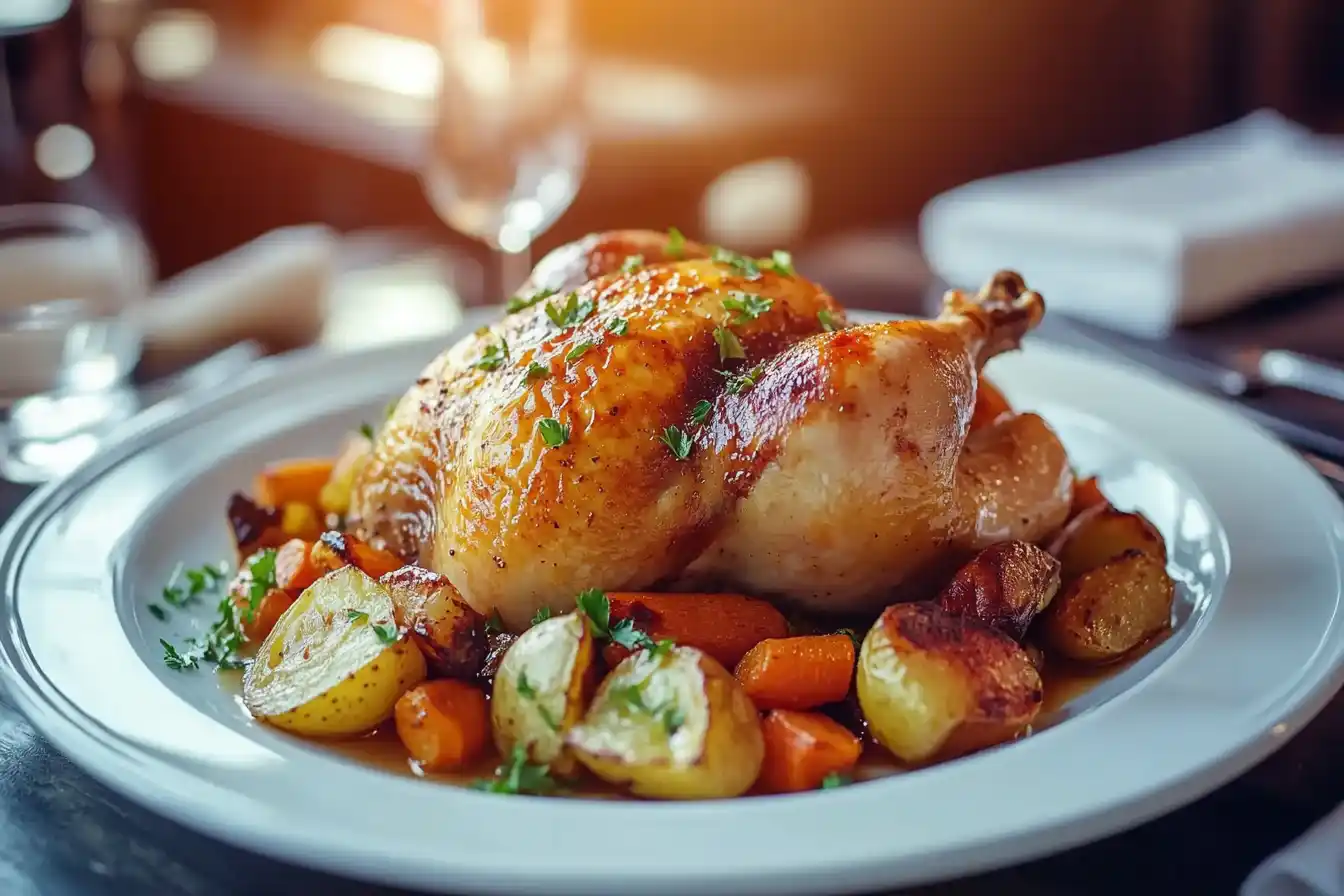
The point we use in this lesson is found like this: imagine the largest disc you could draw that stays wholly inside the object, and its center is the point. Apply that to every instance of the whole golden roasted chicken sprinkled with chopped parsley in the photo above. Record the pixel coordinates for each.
(657, 413)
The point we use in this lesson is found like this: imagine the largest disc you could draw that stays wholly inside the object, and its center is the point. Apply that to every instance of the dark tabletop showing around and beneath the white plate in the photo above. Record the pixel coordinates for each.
(61, 834)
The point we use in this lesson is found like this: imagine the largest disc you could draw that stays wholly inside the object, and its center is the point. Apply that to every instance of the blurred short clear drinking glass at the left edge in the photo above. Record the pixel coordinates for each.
(69, 284)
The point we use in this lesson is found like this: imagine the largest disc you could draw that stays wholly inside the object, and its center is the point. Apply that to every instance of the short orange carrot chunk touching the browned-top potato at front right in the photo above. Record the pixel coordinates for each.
(798, 674)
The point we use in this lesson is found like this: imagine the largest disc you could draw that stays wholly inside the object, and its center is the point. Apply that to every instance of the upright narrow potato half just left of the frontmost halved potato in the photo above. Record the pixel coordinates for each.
(542, 688)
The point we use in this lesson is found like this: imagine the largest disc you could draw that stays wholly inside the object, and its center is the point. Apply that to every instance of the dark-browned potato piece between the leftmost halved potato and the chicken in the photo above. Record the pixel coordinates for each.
(443, 625)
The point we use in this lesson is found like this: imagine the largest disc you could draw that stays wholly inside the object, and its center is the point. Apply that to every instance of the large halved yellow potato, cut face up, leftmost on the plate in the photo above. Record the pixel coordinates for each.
(335, 663)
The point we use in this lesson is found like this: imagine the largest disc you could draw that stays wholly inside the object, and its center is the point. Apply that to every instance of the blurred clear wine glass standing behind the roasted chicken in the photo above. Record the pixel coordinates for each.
(509, 146)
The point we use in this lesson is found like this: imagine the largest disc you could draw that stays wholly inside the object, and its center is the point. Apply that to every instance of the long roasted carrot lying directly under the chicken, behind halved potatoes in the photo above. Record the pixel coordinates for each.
(722, 625)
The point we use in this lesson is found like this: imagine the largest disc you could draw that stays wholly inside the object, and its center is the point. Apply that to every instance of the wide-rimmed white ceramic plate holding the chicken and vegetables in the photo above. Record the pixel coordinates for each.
(1256, 543)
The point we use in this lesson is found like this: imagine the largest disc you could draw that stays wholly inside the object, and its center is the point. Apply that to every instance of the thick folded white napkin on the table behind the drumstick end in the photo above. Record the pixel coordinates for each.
(1169, 234)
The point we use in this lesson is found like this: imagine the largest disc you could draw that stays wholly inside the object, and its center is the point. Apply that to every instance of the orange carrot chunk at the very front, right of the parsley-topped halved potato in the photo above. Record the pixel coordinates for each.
(802, 749)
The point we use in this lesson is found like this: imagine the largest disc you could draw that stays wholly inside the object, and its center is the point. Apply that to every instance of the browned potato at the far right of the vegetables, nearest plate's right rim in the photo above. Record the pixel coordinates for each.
(1112, 609)
